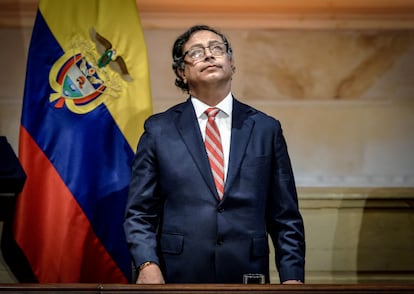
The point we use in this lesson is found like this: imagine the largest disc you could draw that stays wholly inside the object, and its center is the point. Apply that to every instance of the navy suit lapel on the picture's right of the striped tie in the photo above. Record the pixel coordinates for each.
(241, 129)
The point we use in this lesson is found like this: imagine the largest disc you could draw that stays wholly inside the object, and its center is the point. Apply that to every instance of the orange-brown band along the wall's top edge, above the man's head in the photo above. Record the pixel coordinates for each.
(330, 14)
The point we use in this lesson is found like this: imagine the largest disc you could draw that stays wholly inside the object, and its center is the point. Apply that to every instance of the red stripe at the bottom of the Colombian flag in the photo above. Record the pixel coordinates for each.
(75, 244)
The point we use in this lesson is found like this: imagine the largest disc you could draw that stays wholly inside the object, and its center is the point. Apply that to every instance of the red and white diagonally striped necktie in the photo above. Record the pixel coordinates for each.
(215, 150)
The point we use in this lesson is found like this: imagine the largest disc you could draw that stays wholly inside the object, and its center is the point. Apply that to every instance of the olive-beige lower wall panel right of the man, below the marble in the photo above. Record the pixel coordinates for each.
(345, 226)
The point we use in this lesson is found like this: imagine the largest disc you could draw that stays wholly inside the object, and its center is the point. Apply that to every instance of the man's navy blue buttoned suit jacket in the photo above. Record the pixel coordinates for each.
(174, 217)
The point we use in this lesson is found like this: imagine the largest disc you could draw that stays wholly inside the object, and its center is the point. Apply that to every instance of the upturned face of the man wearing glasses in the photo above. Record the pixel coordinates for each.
(211, 69)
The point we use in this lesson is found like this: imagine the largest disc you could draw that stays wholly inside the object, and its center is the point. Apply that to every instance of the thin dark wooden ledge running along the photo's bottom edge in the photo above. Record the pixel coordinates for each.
(207, 288)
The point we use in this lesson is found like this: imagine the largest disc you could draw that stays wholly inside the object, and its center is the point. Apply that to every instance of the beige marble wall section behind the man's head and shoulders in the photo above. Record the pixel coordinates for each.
(345, 98)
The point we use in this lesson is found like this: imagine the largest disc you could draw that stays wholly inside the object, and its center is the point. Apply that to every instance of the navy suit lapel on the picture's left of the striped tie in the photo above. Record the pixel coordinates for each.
(187, 125)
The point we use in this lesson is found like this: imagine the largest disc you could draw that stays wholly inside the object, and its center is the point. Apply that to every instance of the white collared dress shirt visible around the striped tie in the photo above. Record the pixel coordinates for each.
(223, 121)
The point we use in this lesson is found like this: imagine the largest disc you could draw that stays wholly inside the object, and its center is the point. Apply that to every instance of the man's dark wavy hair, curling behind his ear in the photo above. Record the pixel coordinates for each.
(178, 54)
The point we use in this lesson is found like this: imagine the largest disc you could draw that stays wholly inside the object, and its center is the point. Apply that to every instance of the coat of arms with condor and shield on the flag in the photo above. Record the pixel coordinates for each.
(80, 78)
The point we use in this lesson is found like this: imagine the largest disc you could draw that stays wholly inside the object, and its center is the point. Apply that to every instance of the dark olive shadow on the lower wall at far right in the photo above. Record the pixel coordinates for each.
(385, 251)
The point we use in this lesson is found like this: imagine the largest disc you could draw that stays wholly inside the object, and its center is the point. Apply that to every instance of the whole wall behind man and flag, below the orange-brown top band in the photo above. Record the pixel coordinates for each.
(344, 92)
